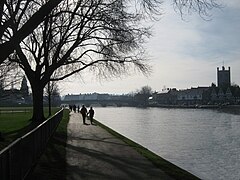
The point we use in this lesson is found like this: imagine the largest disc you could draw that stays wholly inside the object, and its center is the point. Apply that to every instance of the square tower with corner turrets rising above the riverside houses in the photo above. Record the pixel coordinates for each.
(223, 77)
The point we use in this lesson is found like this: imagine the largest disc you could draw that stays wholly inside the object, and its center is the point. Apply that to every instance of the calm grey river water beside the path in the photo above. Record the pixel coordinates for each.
(203, 142)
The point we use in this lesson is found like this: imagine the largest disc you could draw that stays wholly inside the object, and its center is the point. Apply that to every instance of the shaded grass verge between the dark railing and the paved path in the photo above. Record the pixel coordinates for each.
(52, 164)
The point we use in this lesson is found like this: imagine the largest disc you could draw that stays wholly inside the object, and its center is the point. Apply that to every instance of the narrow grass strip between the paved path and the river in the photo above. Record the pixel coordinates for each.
(167, 167)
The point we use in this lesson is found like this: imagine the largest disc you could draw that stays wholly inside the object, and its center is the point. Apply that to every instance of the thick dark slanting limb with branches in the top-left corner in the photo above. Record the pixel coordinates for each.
(14, 27)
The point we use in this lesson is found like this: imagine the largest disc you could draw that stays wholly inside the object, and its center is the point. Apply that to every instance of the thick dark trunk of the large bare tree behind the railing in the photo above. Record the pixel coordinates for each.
(38, 114)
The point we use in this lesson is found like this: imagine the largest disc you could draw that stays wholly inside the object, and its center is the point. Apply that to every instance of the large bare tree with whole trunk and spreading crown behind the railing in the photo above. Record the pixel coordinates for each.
(101, 36)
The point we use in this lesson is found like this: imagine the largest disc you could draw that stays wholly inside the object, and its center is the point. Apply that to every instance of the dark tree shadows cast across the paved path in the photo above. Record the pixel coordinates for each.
(125, 165)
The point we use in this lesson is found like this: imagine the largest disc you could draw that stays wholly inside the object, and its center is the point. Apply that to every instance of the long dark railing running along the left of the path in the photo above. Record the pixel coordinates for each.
(18, 158)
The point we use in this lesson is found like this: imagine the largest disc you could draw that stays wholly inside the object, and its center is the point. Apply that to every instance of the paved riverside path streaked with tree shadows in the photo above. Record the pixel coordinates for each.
(93, 153)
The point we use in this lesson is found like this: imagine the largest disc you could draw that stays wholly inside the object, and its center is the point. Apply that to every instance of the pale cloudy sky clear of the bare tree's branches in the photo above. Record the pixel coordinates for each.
(183, 54)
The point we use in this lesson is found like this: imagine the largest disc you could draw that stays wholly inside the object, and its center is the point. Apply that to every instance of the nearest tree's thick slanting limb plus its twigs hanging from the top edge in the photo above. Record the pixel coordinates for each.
(14, 11)
